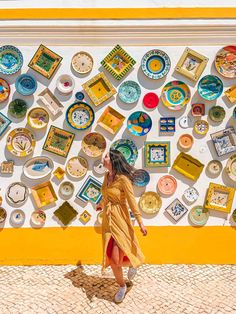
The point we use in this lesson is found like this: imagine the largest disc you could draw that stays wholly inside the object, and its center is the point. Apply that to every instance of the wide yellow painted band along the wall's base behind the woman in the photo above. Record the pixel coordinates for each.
(73, 245)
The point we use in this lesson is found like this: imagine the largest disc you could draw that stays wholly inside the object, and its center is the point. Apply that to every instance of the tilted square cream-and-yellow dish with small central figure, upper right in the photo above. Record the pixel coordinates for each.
(191, 64)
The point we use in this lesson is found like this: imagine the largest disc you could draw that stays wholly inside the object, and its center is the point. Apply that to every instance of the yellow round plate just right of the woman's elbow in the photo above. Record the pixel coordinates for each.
(150, 202)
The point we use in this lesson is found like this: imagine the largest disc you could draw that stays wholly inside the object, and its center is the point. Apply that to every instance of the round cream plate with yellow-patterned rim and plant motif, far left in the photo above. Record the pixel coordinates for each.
(20, 142)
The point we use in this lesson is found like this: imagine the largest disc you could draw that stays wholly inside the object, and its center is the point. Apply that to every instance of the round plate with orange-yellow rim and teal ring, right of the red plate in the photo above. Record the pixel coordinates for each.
(175, 95)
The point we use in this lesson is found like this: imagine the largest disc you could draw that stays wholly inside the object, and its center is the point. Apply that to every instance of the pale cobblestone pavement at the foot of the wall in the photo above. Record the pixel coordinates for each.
(81, 289)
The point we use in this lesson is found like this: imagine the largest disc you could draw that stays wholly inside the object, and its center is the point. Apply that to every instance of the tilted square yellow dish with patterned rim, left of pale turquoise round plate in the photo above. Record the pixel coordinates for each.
(99, 89)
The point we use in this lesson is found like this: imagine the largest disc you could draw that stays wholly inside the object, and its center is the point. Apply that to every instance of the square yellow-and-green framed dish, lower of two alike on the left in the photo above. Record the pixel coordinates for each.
(58, 141)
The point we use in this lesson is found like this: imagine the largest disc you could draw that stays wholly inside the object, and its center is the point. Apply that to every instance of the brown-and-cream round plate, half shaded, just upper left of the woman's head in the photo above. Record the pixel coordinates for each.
(94, 144)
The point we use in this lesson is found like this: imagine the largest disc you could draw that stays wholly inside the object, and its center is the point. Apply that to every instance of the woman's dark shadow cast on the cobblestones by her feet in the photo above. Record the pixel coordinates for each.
(94, 286)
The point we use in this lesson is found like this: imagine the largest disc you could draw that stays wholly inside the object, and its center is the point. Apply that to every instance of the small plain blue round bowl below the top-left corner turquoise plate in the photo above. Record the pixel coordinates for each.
(26, 84)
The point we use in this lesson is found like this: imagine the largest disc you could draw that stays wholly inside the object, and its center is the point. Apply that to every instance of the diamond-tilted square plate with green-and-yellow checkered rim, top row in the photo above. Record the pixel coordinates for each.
(118, 62)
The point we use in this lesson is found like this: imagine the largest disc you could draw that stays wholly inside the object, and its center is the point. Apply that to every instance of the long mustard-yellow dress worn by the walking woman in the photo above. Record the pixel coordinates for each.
(116, 220)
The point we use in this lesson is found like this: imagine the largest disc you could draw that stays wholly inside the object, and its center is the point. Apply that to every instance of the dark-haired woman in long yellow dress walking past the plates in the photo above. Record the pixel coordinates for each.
(120, 244)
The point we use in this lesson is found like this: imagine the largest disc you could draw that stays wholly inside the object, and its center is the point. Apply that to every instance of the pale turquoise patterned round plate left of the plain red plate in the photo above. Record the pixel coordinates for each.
(129, 92)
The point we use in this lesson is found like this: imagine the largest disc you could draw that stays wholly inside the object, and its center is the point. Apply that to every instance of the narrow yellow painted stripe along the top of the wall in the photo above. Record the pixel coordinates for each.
(121, 13)
